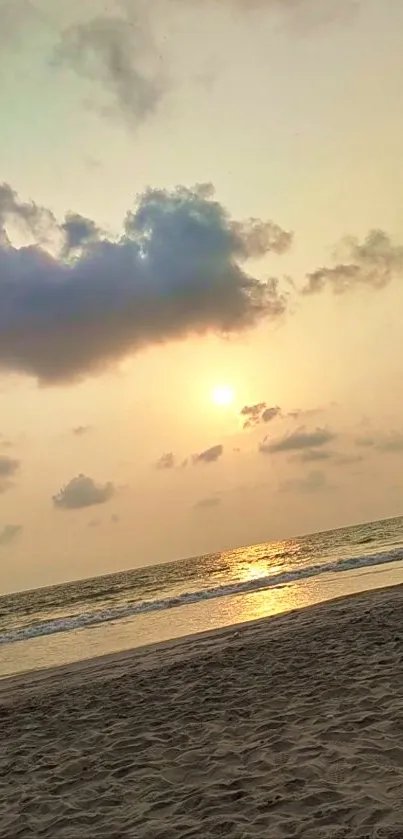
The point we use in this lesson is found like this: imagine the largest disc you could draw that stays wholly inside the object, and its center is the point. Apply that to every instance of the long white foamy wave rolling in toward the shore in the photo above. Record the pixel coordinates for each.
(91, 619)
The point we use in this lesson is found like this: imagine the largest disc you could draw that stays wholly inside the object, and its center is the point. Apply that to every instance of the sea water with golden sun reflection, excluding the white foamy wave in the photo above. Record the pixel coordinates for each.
(75, 621)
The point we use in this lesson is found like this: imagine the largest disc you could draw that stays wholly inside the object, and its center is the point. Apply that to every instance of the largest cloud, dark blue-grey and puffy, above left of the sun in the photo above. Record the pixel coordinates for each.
(175, 271)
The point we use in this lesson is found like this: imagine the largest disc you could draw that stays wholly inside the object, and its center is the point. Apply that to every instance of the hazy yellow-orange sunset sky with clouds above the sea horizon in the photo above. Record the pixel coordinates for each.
(201, 255)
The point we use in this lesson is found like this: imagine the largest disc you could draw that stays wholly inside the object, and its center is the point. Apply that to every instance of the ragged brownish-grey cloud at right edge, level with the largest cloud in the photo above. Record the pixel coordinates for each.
(372, 264)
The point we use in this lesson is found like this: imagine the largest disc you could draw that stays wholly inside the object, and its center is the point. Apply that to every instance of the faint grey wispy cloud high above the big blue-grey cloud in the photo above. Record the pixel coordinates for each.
(116, 52)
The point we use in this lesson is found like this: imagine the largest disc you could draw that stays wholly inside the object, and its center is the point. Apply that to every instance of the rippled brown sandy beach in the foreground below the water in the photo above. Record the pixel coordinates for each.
(287, 727)
